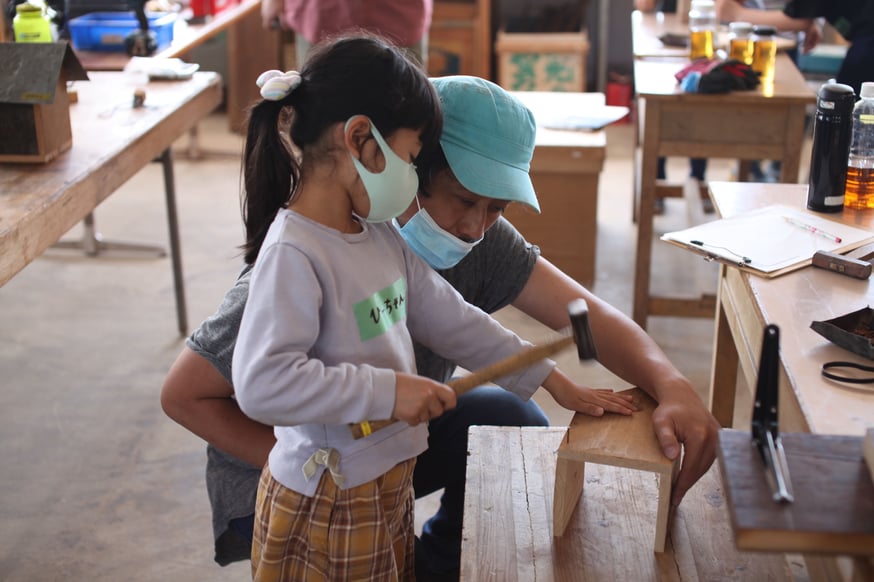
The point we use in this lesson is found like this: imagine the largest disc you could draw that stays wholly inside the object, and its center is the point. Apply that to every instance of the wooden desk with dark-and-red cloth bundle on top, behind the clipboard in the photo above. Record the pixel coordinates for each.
(765, 123)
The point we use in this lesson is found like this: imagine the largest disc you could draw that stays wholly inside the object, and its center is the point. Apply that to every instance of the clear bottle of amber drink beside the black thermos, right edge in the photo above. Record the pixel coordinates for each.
(860, 167)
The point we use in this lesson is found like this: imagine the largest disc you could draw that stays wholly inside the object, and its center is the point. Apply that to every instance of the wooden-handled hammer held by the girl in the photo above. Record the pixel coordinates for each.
(580, 333)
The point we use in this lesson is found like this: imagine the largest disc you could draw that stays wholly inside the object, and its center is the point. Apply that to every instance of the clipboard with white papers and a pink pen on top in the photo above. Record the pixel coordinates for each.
(770, 241)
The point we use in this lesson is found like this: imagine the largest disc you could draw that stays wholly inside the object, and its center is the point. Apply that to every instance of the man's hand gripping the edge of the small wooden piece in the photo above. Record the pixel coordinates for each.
(690, 424)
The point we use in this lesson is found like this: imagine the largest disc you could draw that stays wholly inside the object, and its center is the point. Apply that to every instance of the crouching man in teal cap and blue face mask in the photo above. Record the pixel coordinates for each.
(486, 147)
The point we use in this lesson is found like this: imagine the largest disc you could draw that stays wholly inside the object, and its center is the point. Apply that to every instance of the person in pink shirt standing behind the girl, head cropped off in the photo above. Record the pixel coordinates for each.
(403, 22)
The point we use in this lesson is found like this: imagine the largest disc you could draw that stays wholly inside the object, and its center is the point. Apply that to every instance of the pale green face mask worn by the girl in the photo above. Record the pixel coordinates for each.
(392, 190)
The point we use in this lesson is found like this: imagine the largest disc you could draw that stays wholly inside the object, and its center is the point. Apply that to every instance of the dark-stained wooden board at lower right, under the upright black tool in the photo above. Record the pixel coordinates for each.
(833, 511)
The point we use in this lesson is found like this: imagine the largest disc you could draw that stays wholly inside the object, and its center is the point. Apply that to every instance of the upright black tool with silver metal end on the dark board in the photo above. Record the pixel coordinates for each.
(766, 435)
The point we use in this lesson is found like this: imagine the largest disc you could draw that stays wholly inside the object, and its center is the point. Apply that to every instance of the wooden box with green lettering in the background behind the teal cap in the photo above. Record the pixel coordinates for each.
(554, 61)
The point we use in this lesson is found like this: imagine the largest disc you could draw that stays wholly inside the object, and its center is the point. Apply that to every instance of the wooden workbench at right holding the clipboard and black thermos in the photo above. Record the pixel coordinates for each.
(746, 303)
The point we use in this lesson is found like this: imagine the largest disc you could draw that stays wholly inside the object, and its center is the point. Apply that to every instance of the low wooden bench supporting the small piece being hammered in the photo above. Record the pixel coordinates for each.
(508, 509)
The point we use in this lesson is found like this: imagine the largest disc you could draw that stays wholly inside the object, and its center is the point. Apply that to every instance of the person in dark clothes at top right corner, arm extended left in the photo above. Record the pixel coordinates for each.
(852, 19)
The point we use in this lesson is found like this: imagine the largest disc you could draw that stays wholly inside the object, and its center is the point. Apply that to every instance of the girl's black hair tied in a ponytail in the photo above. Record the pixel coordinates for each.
(358, 74)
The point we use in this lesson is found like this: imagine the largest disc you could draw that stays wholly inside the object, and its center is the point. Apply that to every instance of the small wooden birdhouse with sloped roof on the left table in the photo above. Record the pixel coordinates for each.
(34, 106)
